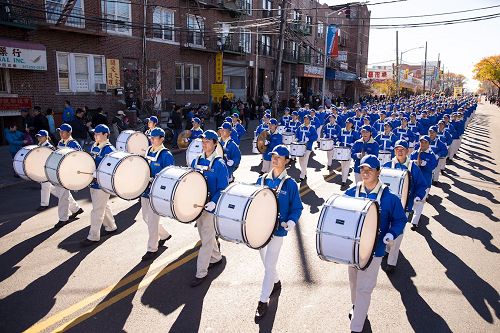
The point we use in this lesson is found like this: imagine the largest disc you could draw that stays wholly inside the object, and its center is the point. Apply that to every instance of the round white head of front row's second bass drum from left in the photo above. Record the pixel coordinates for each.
(76, 170)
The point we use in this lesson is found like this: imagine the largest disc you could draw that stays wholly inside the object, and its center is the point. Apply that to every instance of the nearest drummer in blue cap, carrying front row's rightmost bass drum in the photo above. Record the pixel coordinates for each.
(392, 223)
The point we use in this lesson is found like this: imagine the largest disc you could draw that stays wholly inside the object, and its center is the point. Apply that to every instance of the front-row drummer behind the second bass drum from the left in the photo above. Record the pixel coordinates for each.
(66, 202)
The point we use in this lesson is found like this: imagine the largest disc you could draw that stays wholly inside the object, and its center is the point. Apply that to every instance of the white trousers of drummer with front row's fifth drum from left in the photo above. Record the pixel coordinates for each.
(269, 256)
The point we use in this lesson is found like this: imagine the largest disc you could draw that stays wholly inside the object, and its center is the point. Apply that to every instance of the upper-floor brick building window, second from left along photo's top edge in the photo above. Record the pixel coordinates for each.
(120, 12)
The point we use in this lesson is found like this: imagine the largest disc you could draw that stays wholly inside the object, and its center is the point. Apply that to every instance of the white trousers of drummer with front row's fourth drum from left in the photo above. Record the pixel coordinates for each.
(209, 251)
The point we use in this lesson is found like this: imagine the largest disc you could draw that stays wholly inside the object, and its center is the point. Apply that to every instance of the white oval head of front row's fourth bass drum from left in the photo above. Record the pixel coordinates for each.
(190, 197)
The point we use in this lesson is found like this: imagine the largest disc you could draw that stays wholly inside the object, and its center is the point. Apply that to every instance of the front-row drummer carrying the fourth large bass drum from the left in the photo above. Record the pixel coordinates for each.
(215, 172)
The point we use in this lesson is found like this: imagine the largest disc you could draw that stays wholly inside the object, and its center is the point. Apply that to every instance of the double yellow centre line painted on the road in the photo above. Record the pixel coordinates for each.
(52, 320)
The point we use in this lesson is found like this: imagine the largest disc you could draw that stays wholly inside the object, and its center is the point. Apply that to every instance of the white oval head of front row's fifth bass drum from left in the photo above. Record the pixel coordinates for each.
(261, 218)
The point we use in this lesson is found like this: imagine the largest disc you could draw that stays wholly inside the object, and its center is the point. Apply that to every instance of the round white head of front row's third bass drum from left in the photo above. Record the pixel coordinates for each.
(131, 177)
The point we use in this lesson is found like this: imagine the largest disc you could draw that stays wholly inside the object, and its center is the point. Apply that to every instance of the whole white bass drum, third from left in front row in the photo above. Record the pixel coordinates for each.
(124, 175)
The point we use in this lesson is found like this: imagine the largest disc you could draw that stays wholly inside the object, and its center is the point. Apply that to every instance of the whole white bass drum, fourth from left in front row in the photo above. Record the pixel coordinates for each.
(179, 193)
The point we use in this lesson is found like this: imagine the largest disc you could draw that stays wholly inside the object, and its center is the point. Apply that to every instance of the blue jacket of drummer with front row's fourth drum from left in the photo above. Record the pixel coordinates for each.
(215, 172)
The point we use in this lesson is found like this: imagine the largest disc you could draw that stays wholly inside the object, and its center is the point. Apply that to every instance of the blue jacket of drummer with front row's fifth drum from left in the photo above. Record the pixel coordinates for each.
(290, 205)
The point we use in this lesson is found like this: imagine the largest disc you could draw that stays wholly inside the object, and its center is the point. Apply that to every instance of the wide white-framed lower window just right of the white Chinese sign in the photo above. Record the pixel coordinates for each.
(80, 72)
